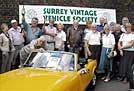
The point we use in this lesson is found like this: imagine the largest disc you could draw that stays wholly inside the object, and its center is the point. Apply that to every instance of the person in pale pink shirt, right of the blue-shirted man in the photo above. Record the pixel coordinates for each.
(50, 34)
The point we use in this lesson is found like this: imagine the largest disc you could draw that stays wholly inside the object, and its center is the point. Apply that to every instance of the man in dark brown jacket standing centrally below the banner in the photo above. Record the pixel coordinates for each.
(75, 37)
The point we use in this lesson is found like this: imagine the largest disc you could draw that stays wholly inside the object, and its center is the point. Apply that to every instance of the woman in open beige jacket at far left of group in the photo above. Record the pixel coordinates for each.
(7, 48)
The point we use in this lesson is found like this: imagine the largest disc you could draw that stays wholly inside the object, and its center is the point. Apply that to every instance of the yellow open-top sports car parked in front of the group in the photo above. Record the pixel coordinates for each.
(50, 71)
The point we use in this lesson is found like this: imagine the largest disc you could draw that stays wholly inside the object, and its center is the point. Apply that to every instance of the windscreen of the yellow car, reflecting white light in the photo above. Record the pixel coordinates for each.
(52, 60)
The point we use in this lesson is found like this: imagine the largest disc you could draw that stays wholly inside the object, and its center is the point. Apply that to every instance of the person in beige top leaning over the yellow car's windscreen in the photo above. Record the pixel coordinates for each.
(37, 44)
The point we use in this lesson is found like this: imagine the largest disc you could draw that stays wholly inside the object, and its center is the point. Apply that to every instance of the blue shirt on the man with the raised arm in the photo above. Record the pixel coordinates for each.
(30, 35)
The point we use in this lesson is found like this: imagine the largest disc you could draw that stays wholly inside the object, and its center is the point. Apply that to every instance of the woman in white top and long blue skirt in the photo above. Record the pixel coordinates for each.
(108, 43)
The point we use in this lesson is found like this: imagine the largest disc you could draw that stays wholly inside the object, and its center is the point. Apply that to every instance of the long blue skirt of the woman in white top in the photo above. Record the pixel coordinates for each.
(104, 53)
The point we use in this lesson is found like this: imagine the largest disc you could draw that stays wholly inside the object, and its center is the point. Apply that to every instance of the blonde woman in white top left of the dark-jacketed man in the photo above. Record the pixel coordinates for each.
(60, 38)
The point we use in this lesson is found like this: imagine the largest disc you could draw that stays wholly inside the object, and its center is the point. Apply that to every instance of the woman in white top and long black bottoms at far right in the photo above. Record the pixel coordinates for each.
(126, 47)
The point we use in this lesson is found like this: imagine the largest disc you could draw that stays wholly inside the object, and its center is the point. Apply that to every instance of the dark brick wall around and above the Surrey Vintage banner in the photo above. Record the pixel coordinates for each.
(9, 8)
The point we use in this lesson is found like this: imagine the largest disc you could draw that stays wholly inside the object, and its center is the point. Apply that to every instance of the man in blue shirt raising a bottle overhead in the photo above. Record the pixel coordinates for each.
(32, 31)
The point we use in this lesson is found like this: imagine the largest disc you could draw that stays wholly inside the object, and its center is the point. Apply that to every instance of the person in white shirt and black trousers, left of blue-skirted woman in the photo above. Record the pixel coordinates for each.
(92, 43)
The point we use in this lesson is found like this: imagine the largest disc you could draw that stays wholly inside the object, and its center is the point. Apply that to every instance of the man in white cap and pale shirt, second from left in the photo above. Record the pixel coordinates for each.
(18, 39)
